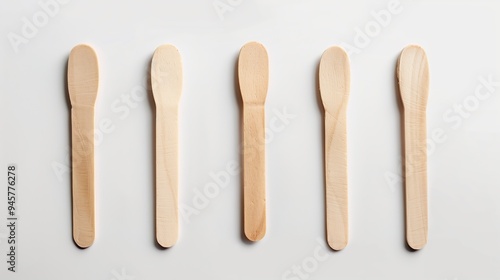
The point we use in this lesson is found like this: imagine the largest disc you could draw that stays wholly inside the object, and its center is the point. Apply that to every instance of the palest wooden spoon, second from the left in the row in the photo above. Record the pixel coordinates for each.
(166, 79)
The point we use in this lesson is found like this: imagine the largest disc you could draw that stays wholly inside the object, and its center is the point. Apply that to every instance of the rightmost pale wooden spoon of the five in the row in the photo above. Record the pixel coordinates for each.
(413, 76)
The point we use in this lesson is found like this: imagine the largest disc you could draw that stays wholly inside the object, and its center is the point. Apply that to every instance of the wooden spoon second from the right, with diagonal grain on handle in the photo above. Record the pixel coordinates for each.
(334, 83)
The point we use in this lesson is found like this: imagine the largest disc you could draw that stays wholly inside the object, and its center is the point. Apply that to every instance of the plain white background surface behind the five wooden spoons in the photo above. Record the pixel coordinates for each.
(461, 40)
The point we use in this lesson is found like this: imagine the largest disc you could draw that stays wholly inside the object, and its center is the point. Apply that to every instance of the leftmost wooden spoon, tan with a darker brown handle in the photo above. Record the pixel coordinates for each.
(83, 83)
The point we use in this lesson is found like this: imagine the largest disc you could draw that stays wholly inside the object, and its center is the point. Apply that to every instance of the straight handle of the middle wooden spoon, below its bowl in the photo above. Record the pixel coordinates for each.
(254, 178)
